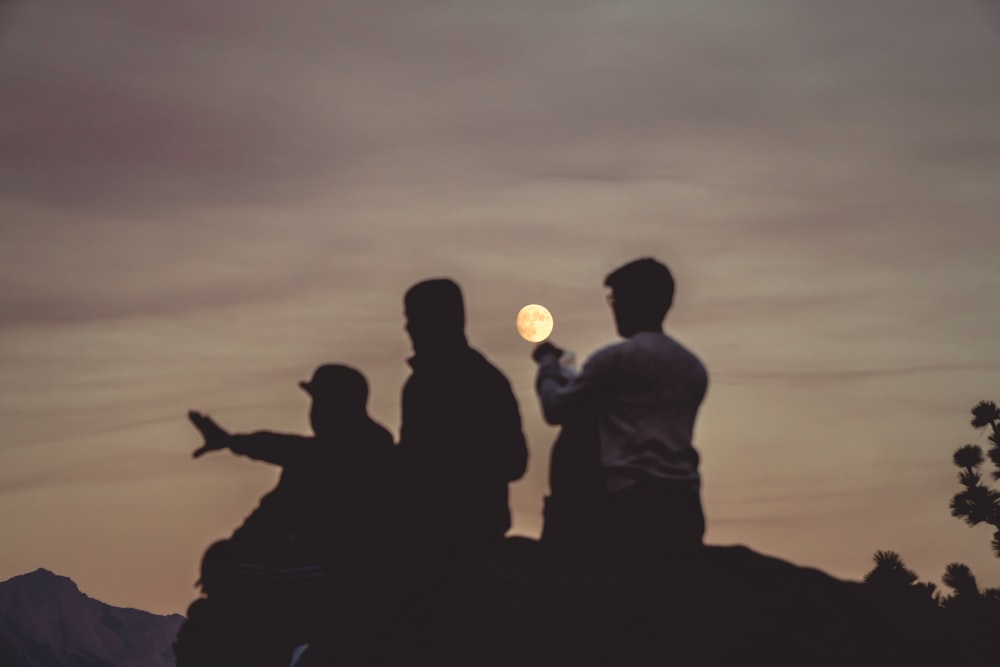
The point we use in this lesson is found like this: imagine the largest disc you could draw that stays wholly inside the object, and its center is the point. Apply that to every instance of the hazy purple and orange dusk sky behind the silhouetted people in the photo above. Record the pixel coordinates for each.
(201, 202)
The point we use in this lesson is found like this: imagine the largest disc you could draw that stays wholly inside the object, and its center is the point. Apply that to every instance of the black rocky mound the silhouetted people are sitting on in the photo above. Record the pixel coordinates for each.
(521, 604)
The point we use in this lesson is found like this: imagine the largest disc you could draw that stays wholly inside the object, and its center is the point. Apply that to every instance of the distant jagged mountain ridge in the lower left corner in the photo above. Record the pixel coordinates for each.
(45, 621)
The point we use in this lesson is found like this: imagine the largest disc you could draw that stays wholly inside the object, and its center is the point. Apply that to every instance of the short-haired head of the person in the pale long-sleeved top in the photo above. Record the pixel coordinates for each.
(642, 292)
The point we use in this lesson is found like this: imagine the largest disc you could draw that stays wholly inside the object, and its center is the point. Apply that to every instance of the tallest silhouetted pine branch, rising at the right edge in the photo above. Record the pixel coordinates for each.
(978, 503)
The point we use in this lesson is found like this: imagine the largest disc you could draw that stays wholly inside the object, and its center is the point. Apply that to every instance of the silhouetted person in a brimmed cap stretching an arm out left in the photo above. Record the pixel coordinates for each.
(315, 556)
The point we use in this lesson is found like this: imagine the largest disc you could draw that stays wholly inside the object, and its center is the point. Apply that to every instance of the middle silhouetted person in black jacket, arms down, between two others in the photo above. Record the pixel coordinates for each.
(461, 441)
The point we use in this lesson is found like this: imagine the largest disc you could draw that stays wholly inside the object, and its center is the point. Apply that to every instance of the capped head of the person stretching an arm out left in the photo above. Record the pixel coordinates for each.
(339, 393)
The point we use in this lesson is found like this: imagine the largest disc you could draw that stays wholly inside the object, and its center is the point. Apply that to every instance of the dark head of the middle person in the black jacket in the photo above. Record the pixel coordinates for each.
(435, 315)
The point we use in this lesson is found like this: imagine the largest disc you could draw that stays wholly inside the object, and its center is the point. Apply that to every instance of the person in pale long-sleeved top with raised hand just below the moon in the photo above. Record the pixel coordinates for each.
(644, 394)
